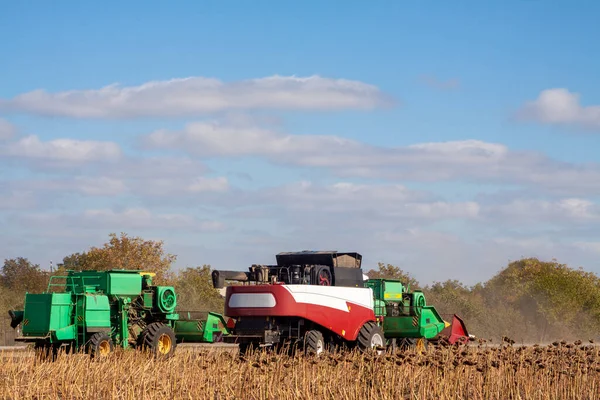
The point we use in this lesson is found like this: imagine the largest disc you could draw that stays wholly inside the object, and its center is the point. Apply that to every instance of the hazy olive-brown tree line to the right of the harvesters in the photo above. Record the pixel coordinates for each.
(529, 300)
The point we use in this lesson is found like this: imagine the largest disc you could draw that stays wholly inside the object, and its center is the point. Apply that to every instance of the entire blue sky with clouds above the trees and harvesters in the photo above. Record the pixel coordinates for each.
(447, 139)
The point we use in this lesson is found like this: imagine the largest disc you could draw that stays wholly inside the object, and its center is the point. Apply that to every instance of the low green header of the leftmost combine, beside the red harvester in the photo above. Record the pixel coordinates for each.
(201, 330)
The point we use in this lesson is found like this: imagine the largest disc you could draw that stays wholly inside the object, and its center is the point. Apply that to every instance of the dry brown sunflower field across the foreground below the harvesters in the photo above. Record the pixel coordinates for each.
(555, 371)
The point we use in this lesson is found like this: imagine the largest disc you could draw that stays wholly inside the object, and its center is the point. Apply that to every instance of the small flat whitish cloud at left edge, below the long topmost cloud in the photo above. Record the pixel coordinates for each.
(63, 150)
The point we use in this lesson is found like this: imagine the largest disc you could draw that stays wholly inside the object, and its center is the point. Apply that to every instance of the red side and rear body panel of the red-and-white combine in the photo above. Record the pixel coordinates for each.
(347, 324)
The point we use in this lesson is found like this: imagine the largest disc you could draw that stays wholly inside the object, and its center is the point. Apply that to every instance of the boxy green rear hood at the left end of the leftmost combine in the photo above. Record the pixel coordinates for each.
(46, 312)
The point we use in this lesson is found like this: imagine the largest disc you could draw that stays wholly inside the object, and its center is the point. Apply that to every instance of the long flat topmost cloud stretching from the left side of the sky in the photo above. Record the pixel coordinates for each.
(199, 95)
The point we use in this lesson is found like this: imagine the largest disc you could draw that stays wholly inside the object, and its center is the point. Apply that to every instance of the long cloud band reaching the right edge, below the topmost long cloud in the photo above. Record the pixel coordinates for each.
(463, 160)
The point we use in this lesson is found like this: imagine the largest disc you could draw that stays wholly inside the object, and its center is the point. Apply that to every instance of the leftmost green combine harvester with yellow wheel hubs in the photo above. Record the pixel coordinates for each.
(95, 311)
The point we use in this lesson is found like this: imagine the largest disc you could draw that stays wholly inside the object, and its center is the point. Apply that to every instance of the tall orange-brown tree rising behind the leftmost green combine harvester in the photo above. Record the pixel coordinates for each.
(124, 252)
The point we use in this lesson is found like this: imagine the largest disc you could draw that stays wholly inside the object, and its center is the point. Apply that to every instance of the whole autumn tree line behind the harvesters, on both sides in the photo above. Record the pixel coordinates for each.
(528, 300)
